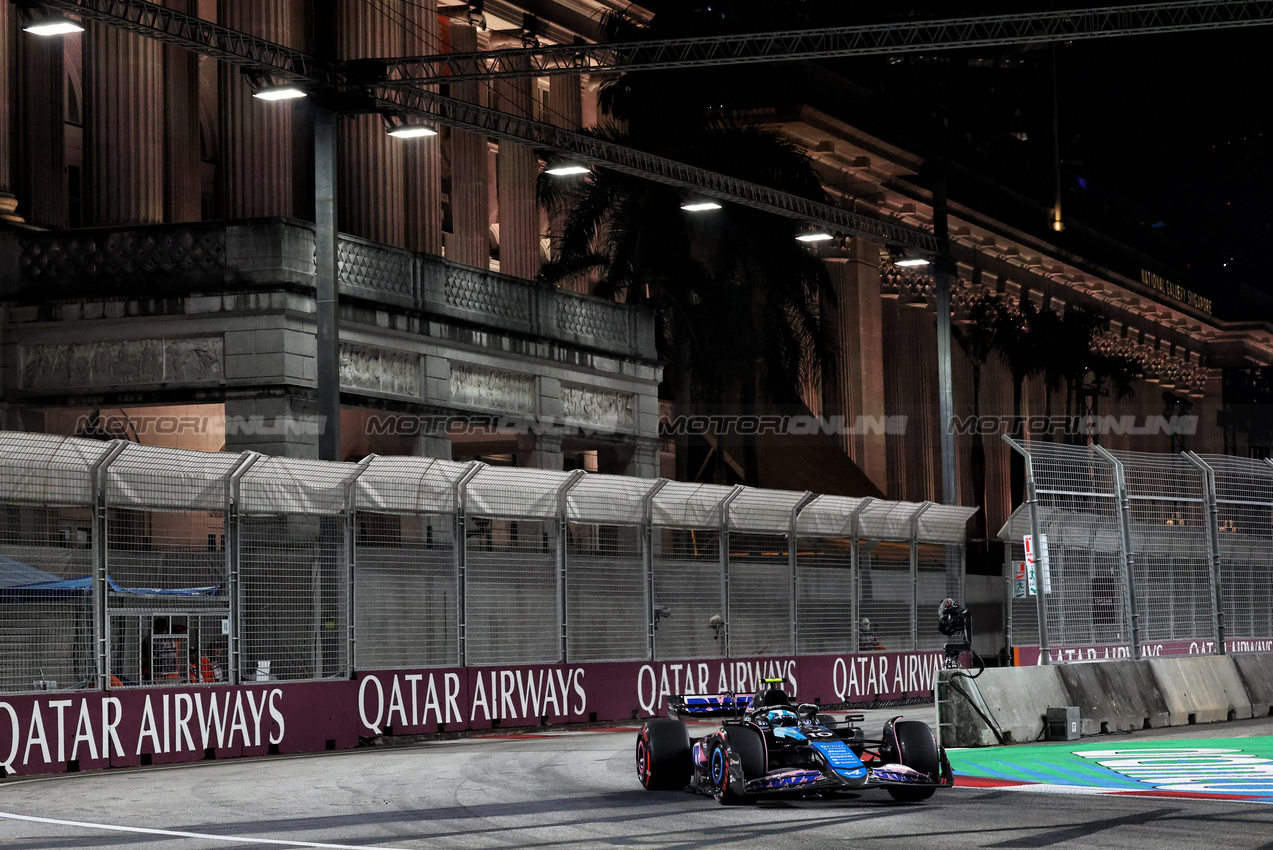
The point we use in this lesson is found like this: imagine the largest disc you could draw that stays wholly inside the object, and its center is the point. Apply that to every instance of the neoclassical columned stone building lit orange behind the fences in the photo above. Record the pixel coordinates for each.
(157, 273)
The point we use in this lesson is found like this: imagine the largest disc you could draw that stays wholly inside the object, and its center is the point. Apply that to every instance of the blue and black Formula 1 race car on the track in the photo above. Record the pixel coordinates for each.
(771, 748)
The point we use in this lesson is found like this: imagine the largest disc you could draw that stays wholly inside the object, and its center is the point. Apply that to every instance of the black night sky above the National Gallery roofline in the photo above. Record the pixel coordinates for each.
(1171, 136)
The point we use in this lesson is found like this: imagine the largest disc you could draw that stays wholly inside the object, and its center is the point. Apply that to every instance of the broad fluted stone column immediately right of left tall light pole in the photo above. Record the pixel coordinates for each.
(371, 183)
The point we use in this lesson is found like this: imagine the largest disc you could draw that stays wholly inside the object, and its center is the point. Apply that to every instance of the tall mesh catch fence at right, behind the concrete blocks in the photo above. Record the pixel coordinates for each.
(1148, 555)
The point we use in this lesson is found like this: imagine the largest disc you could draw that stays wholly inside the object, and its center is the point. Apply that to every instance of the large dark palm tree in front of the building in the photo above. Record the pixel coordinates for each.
(738, 298)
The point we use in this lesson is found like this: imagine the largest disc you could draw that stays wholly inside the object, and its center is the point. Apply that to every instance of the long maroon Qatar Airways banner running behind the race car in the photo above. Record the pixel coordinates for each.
(57, 732)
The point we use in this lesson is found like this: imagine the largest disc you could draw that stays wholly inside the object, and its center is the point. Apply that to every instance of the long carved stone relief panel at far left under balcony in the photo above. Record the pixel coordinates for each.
(114, 363)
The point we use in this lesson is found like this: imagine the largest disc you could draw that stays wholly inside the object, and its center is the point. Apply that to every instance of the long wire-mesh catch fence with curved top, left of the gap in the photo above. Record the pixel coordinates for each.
(125, 566)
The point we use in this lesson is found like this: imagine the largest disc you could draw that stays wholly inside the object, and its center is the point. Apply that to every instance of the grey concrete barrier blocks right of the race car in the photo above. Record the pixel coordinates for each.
(1010, 704)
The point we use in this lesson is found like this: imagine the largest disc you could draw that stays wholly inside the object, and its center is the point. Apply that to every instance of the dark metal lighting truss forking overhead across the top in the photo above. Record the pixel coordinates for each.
(398, 85)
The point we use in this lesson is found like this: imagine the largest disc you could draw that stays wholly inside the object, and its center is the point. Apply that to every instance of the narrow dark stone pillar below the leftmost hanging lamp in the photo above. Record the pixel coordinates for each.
(43, 132)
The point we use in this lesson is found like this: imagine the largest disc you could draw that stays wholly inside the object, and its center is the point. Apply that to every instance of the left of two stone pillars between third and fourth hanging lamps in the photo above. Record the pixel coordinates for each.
(470, 176)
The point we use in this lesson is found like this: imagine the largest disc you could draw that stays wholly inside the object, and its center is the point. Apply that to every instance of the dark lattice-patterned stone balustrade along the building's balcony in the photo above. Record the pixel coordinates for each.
(263, 254)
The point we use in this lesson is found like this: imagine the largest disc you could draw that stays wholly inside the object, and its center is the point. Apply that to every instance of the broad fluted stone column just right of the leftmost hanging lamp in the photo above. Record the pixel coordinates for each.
(124, 128)
